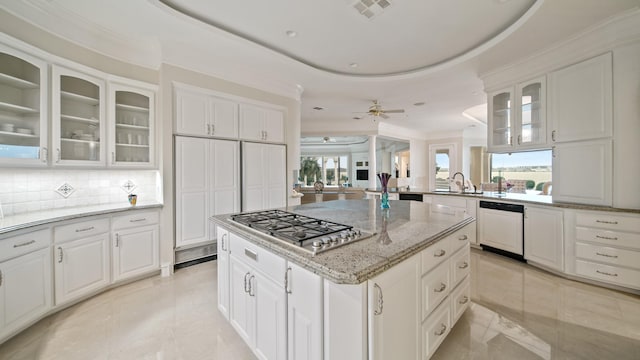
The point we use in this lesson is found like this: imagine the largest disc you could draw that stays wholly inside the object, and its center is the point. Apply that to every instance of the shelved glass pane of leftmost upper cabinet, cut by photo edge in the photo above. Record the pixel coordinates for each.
(19, 108)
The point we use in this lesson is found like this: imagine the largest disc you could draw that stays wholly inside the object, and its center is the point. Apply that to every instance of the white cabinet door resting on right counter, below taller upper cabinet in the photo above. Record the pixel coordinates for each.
(582, 172)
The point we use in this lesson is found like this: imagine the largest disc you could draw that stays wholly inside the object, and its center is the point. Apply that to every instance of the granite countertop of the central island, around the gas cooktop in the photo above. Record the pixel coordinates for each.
(411, 226)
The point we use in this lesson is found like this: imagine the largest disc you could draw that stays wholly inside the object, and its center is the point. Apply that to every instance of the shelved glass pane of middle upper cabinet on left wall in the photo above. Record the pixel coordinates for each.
(79, 119)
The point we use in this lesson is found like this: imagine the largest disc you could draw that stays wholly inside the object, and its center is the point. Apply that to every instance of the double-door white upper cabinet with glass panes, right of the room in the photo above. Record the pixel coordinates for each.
(517, 117)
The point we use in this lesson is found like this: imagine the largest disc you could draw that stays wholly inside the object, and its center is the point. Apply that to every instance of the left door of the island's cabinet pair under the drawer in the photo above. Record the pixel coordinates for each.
(242, 314)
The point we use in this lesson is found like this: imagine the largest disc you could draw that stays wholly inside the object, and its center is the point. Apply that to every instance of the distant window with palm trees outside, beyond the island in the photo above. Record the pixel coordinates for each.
(332, 170)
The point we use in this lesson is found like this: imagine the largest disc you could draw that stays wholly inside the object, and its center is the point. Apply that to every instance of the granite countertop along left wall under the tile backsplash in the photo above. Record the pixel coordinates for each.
(23, 221)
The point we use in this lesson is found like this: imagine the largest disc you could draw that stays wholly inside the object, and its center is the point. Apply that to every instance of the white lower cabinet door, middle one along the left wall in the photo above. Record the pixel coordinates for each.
(81, 266)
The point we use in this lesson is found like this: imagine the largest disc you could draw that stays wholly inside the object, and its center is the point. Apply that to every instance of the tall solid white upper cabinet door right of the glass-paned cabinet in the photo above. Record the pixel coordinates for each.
(580, 101)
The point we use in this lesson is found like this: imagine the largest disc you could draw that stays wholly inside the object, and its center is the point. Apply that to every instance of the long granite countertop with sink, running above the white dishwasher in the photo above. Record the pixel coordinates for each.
(533, 199)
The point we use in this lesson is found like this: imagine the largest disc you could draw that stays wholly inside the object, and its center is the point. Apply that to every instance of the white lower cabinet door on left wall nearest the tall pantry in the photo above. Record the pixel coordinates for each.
(135, 252)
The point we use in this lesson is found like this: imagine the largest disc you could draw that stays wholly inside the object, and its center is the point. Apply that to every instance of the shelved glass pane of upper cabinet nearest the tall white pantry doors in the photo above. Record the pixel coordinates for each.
(132, 127)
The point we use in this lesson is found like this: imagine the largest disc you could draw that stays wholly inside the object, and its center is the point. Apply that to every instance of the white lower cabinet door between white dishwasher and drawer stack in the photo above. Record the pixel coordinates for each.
(543, 237)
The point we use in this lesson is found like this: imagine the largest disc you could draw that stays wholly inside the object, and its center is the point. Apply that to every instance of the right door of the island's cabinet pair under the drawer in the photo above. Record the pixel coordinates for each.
(271, 317)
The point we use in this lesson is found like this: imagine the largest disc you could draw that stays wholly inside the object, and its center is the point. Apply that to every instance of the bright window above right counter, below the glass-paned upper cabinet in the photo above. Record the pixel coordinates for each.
(533, 167)
